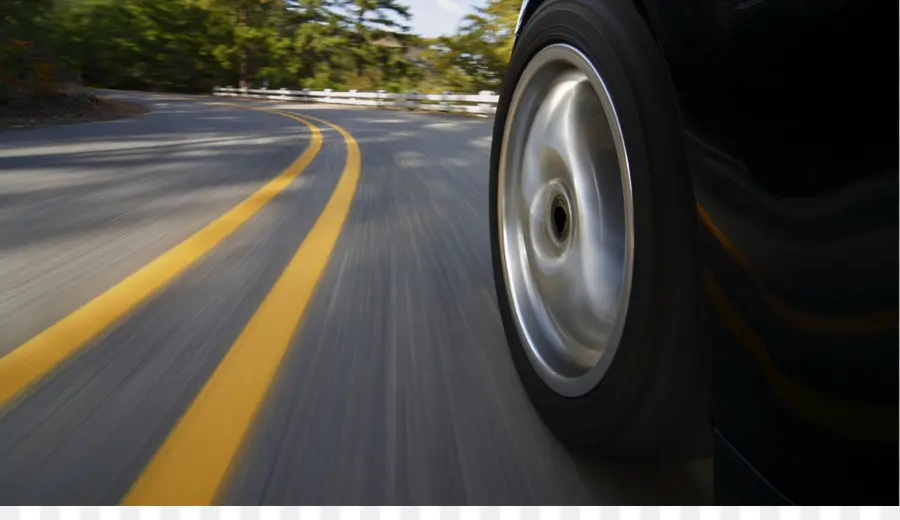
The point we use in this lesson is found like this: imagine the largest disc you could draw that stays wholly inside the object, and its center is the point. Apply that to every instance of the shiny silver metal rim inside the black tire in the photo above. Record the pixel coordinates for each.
(566, 219)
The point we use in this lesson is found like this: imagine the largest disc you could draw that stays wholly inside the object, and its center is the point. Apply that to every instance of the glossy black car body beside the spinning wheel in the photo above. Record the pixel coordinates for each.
(789, 116)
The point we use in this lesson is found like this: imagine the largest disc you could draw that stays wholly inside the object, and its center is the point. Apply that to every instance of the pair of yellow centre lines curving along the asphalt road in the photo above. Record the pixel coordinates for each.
(194, 461)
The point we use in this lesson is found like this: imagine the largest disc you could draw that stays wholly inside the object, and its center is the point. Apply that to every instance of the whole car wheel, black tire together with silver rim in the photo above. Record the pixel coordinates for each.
(593, 233)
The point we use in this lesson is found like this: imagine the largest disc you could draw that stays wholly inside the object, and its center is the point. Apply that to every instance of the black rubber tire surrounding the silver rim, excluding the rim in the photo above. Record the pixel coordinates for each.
(654, 399)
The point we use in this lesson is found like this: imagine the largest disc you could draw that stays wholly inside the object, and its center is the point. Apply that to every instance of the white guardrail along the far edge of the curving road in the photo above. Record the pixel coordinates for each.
(484, 103)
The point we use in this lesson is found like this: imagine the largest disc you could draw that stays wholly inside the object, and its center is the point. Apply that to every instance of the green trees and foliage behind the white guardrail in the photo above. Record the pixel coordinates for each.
(193, 45)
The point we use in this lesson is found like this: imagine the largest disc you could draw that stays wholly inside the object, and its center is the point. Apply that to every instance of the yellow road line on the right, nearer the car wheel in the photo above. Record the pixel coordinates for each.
(194, 461)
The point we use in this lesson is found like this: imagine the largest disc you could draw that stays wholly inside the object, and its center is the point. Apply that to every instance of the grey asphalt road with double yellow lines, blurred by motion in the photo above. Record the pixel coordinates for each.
(121, 372)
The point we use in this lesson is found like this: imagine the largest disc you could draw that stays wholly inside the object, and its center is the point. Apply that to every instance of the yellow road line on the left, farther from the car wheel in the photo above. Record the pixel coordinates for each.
(35, 358)
